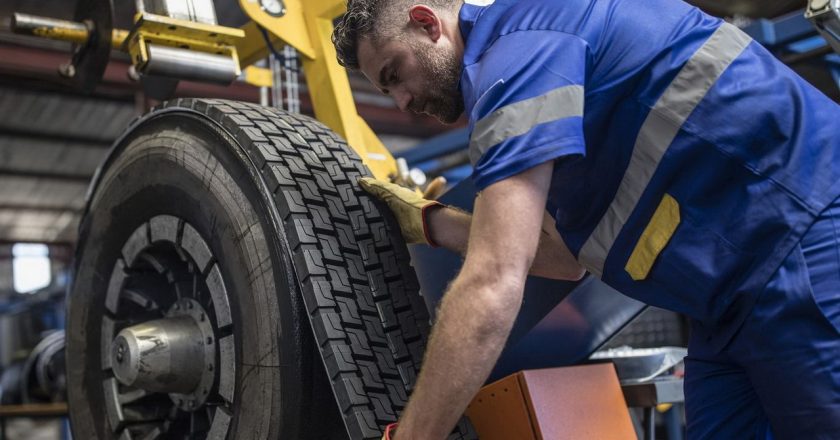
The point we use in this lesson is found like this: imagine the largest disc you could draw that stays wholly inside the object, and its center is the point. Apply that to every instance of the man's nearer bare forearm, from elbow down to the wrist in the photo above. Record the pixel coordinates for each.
(466, 341)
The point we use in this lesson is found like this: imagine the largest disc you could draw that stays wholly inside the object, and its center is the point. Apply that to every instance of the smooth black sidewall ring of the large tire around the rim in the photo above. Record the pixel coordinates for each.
(165, 170)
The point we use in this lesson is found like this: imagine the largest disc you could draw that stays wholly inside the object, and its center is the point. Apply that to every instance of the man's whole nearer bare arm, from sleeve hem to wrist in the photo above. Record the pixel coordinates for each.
(478, 311)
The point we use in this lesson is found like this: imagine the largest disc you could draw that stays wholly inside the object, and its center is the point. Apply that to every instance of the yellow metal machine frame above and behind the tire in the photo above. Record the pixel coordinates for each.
(307, 26)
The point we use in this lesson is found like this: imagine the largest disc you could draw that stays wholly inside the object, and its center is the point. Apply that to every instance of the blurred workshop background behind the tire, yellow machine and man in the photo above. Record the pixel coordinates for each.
(53, 138)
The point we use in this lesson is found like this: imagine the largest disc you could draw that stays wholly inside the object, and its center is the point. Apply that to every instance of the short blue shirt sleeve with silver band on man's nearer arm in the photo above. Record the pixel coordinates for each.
(527, 103)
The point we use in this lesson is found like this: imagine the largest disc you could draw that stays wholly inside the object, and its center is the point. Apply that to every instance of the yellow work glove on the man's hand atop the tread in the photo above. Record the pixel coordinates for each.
(408, 207)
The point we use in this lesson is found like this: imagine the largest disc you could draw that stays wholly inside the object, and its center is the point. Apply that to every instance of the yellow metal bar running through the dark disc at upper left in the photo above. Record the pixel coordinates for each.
(61, 30)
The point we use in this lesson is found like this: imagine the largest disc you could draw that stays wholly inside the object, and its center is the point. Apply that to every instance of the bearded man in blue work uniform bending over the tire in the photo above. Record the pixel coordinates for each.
(681, 163)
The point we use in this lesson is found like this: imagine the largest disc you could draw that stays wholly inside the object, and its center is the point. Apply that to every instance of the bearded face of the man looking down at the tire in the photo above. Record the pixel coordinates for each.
(422, 77)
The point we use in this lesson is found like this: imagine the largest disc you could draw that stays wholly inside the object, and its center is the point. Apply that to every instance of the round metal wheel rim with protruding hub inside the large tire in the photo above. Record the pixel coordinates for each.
(167, 290)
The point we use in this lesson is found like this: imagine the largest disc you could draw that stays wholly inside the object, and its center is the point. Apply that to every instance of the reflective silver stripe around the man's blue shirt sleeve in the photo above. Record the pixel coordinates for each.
(520, 117)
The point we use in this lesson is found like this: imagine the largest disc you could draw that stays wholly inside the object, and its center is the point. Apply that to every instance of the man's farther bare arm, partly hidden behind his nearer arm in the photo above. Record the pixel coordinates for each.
(450, 228)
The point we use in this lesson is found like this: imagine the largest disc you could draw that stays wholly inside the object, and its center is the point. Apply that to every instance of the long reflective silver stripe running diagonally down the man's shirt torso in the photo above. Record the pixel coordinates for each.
(658, 132)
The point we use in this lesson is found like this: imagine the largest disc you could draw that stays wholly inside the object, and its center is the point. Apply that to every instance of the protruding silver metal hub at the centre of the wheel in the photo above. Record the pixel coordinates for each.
(174, 355)
